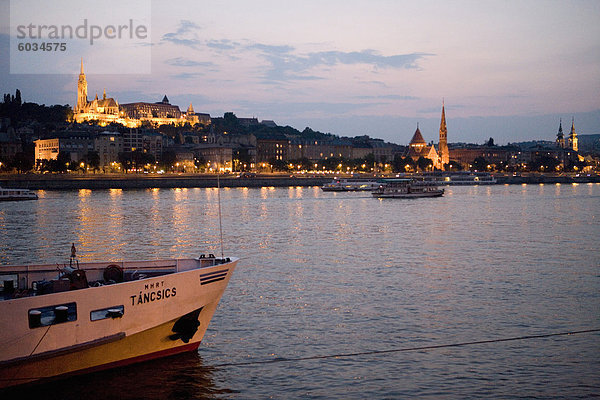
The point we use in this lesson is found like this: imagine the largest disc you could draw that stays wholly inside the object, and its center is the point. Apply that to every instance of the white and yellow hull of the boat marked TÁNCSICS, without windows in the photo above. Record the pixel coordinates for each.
(148, 328)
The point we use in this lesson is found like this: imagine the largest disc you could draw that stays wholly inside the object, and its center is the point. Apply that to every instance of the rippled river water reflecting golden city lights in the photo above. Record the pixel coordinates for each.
(340, 295)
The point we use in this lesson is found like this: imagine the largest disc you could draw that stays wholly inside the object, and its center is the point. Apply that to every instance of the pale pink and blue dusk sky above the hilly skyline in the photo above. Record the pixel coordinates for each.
(361, 67)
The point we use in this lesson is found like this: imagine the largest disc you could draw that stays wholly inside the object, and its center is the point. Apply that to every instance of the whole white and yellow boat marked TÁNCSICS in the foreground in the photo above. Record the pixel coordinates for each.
(57, 321)
